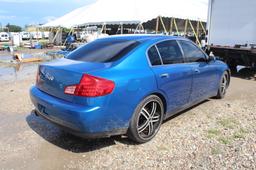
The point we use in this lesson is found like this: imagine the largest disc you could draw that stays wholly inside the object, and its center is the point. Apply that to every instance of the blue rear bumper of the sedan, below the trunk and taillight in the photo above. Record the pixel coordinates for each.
(79, 120)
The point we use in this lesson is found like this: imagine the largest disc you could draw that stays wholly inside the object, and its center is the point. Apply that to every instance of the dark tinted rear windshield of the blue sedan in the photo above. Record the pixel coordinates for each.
(103, 50)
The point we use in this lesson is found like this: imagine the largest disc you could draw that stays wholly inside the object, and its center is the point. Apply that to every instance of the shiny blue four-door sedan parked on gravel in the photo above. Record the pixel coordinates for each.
(126, 85)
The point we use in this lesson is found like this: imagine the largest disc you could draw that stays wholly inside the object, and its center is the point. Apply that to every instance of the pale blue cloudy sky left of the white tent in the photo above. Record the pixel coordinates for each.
(22, 12)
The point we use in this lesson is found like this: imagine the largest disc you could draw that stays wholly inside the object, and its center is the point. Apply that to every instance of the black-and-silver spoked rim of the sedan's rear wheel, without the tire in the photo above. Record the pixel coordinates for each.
(149, 119)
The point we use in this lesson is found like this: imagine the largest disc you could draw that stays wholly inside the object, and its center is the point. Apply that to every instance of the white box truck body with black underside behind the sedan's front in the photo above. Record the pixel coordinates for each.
(231, 29)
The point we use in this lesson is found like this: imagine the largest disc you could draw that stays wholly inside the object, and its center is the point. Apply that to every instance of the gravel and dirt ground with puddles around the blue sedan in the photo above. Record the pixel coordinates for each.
(217, 134)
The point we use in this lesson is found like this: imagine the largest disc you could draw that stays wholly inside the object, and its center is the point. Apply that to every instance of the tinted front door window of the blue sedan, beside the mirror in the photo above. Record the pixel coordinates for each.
(192, 52)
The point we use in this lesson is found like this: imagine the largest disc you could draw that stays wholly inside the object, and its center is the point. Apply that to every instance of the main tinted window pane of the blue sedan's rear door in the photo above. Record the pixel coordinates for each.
(170, 52)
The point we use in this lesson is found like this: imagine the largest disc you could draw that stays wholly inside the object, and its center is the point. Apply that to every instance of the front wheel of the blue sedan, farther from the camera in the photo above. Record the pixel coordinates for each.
(223, 85)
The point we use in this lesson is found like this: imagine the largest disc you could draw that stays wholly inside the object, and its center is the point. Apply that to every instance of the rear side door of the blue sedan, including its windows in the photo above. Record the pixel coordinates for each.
(174, 78)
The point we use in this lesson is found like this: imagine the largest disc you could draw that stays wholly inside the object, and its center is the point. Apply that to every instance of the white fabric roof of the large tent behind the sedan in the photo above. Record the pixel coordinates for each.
(132, 11)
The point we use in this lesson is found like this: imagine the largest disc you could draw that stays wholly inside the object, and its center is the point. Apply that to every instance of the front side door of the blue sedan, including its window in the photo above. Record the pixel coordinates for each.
(204, 72)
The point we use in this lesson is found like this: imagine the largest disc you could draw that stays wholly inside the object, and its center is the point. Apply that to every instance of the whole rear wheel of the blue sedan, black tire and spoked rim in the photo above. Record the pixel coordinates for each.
(147, 118)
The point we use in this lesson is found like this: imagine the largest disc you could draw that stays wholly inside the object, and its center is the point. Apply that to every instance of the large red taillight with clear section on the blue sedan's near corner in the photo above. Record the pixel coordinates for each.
(91, 86)
